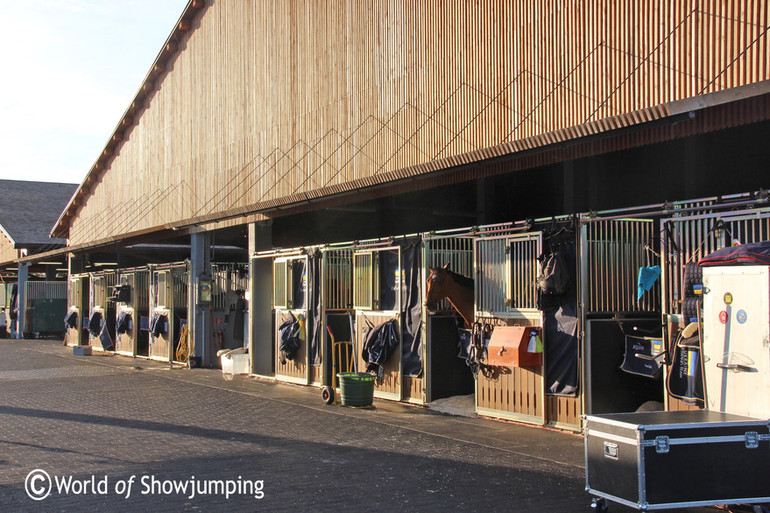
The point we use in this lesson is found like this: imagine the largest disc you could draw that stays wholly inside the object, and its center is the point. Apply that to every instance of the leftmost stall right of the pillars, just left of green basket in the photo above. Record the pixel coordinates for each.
(302, 300)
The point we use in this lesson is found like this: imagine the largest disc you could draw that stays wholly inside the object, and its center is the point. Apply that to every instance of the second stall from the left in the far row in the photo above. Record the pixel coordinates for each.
(101, 316)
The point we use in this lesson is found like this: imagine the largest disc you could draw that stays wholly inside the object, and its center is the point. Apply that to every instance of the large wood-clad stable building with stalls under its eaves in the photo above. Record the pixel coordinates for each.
(344, 135)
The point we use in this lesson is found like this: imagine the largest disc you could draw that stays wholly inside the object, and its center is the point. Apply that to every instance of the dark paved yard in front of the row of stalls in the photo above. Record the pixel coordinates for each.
(112, 433)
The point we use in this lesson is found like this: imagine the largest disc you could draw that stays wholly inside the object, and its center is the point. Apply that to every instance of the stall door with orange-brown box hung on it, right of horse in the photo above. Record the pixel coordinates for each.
(506, 273)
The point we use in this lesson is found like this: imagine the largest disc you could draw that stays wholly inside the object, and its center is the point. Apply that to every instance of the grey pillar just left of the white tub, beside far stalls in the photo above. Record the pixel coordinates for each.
(199, 314)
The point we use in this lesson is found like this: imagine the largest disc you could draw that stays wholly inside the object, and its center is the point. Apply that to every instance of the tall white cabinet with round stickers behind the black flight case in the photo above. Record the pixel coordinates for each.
(736, 345)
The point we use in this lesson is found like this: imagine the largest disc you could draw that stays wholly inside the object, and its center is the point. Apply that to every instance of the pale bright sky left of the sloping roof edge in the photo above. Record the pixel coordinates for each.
(70, 70)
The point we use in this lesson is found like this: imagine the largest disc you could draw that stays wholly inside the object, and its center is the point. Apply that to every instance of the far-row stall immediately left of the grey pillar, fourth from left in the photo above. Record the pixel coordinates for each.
(168, 331)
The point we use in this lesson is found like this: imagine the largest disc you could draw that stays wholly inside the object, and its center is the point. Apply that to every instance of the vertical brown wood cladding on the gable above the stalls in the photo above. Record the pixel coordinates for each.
(270, 99)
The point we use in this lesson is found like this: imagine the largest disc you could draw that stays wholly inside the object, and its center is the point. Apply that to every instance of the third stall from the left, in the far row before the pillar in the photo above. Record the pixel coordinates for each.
(132, 300)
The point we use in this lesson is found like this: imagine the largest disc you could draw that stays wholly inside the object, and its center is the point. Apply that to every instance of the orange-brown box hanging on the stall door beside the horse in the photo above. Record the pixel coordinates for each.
(515, 346)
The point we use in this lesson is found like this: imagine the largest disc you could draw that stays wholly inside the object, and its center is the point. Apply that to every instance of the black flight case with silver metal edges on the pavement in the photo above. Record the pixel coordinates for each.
(662, 460)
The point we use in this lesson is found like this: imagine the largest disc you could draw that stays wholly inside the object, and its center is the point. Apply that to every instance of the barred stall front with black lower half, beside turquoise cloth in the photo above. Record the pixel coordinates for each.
(623, 348)
